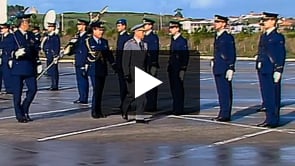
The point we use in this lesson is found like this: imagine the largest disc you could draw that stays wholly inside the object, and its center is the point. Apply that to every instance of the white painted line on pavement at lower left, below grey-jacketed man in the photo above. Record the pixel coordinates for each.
(84, 131)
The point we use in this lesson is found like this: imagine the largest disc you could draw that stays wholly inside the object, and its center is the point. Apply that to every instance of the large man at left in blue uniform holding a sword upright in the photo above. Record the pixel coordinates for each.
(24, 67)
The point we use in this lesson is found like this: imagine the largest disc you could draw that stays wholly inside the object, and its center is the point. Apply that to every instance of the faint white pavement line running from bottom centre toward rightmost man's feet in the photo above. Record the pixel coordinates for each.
(209, 146)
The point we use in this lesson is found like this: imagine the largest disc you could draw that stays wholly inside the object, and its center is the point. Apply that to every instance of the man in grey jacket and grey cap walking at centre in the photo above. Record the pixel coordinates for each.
(135, 54)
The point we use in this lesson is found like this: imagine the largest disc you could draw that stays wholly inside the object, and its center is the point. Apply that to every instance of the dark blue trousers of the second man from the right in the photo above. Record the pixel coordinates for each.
(225, 95)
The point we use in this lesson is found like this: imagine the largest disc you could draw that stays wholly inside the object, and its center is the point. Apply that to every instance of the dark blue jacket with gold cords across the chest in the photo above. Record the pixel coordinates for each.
(98, 55)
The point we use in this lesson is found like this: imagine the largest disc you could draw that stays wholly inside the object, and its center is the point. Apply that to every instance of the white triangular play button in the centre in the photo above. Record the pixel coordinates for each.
(144, 82)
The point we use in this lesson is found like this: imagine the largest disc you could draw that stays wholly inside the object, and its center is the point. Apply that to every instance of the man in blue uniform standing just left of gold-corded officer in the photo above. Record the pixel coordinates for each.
(80, 61)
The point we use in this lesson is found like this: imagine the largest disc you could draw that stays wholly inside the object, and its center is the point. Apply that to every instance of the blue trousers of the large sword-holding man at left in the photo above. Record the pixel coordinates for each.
(22, 108)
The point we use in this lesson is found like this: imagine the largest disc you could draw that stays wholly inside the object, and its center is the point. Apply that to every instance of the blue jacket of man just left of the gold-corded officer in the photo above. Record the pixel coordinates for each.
(80, 51)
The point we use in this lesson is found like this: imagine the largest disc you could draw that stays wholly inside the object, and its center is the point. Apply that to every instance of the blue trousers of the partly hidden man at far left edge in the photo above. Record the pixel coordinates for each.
(7, 77)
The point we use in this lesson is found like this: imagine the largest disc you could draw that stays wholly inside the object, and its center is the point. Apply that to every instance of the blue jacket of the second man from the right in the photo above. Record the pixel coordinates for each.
(224, 53)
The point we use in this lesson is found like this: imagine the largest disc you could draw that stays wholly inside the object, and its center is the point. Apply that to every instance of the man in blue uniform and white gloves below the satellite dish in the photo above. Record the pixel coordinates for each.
(51, 48)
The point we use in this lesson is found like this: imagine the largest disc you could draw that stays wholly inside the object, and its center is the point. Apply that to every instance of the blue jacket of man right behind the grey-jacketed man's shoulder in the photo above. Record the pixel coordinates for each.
(152, 41)
